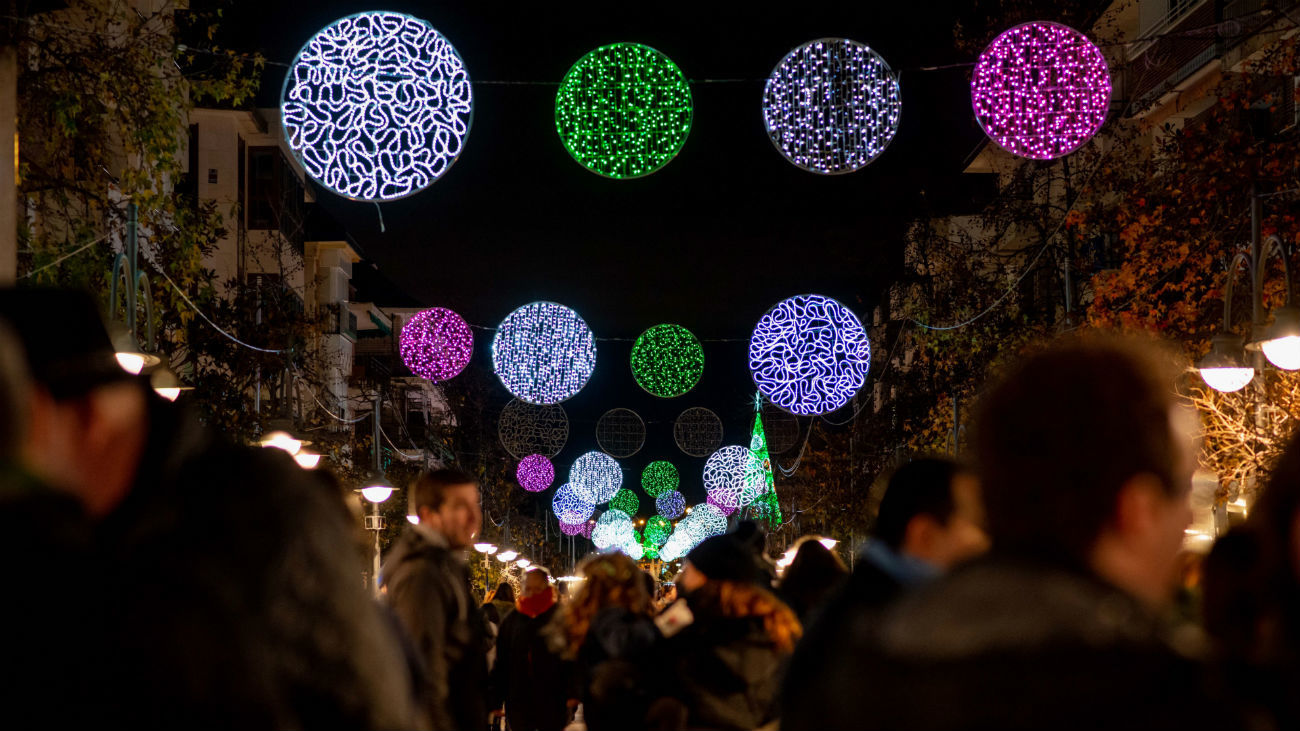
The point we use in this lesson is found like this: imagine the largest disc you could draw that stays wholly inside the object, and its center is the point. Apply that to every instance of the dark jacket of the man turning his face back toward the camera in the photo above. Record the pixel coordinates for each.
(428, 587)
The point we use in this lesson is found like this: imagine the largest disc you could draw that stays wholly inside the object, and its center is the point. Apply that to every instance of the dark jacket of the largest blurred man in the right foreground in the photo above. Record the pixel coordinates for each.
(1011, 645)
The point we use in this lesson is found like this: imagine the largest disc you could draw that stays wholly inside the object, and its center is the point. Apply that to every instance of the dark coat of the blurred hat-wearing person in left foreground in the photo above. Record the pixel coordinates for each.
(231, 596)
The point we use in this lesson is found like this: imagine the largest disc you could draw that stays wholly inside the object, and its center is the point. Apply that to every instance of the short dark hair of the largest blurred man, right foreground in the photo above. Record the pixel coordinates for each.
(1064, 431)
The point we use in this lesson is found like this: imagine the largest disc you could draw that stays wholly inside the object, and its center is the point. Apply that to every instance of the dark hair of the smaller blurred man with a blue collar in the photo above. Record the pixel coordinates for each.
(922, 487)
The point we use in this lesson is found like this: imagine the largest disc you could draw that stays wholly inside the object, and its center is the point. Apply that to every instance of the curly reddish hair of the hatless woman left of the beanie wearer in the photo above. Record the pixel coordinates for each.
(612, 581)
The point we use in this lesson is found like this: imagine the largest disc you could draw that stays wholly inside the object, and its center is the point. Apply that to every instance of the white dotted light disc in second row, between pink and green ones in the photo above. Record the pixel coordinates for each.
(544, 353)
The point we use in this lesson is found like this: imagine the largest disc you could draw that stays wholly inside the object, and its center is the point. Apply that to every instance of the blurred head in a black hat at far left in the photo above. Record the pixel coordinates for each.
(88, 418)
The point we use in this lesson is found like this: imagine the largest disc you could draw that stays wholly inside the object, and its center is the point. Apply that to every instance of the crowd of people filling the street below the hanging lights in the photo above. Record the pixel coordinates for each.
(162, 577)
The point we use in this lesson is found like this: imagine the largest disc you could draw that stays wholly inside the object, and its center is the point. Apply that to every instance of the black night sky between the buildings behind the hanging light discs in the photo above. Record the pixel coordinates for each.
(712, 241)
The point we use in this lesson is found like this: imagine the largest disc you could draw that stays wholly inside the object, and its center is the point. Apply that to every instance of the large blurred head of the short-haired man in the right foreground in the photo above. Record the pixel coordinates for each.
(1086, 456)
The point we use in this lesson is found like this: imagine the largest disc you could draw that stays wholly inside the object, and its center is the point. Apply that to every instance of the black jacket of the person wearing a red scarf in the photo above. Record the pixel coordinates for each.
(530, 678)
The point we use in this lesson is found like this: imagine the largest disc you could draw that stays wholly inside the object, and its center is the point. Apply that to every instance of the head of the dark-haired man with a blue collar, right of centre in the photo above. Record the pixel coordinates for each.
(933, 511)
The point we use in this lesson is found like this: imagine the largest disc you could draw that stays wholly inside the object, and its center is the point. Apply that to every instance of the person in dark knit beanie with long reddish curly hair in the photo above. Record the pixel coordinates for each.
(730, 651)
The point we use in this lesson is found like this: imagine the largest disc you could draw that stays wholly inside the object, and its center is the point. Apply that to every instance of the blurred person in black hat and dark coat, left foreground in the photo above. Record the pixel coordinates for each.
(220, 589)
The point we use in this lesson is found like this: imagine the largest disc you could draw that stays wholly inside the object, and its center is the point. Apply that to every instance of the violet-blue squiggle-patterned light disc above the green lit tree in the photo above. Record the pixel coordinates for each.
(809, 354)
